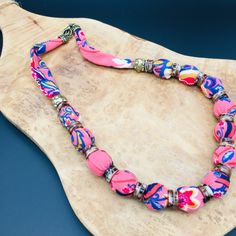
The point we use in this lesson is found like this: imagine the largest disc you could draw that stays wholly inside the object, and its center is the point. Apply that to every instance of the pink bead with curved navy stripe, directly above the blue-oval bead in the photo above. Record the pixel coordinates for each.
(225, 129)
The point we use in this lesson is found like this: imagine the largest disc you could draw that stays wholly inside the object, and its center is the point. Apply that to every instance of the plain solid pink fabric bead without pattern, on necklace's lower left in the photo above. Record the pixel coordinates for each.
(98, 161)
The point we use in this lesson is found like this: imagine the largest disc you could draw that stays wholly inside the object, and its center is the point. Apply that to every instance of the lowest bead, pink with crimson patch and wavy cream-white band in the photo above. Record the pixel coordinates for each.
(190, 198)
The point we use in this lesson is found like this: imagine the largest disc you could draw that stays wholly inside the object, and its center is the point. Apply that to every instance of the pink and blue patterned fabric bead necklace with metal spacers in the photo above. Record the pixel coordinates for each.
(155, 196)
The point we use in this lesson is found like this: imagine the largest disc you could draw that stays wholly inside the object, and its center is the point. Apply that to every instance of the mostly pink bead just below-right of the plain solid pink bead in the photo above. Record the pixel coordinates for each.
(123, 182)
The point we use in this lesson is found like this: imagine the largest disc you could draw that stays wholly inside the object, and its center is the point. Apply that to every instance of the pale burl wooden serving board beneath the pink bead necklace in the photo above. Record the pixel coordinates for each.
(160, 130)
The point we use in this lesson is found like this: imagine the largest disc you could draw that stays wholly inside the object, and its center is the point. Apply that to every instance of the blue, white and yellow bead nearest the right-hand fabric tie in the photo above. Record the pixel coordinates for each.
(162, 68)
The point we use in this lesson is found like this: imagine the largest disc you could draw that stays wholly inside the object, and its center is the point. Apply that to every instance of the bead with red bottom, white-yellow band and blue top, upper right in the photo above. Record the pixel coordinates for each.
(188, 74)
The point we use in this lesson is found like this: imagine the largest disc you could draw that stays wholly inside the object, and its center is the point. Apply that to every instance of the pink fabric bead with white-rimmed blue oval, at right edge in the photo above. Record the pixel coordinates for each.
(225, 155)
